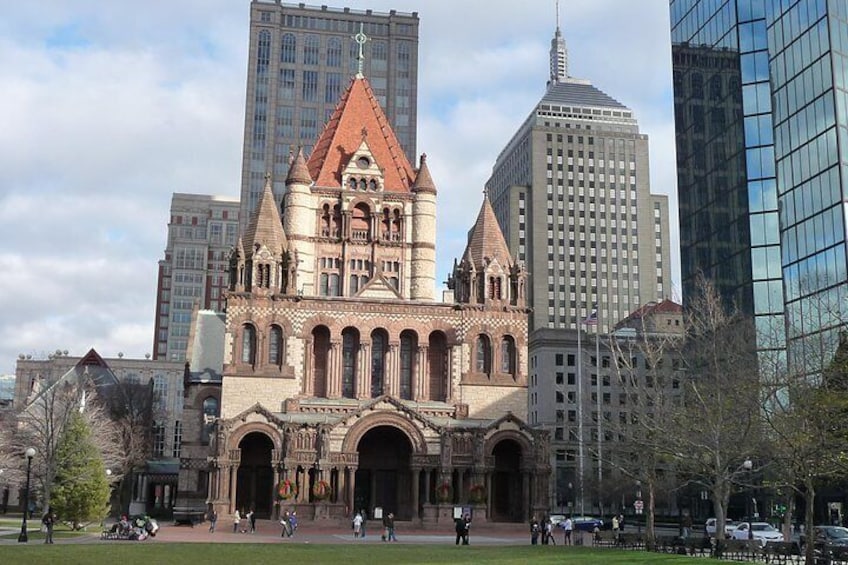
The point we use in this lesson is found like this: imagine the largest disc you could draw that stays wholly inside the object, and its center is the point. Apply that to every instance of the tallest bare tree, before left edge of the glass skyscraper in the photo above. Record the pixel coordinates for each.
(715, 430)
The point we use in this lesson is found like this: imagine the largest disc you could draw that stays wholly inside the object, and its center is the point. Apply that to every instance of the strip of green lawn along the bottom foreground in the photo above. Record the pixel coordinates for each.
(152, 553)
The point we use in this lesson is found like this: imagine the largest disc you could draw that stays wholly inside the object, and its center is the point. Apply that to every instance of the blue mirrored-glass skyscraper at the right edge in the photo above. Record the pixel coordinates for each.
(761, 147)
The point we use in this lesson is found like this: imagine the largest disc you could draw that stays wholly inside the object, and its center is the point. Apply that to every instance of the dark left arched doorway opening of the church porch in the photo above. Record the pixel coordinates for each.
(255, 481)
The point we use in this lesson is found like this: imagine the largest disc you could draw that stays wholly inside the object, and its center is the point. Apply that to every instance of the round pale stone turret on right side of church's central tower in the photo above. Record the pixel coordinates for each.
(423, 268)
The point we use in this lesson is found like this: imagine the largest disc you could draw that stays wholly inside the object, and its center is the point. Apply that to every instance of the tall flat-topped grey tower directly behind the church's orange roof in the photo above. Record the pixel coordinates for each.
(301, 59)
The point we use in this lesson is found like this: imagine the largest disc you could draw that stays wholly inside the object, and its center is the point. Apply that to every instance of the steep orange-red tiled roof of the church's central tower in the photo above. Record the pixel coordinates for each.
(359, 114)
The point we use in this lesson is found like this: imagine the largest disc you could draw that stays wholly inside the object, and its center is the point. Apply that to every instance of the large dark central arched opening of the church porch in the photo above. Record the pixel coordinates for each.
(384, 477)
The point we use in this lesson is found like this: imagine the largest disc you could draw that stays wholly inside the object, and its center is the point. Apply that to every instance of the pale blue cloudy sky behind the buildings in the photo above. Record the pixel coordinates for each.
(110, 107)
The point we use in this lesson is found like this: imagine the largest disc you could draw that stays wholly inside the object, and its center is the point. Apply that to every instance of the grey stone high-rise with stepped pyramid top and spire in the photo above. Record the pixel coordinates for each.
(571, 192)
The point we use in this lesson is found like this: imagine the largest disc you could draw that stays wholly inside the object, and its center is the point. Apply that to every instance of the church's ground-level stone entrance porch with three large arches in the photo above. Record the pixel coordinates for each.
(382, 460)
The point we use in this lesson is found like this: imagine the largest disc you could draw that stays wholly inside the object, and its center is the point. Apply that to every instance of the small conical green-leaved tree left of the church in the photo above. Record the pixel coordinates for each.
(81, 489)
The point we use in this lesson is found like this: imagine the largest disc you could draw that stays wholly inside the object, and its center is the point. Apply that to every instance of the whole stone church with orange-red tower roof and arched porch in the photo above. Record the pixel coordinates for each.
(346, 385)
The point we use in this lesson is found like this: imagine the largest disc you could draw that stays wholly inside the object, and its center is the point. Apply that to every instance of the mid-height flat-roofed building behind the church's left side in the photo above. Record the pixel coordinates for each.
(201, 234)
